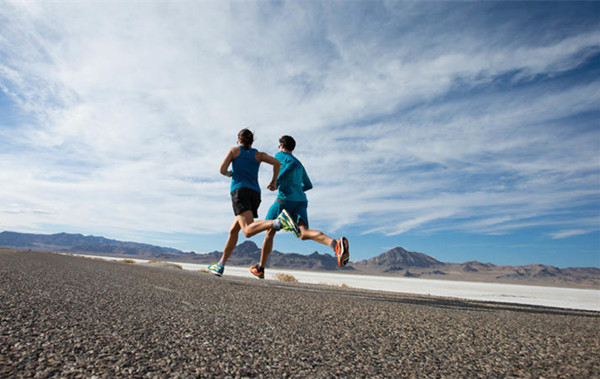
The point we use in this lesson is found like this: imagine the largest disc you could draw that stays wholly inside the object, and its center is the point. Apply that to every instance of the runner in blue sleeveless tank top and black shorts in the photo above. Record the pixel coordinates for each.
(245, 194)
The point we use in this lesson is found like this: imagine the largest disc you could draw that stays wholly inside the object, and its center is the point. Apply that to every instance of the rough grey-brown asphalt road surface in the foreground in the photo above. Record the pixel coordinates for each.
(63, 316)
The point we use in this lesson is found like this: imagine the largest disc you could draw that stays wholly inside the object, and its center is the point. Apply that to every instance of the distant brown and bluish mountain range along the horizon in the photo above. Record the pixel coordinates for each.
(395, 262)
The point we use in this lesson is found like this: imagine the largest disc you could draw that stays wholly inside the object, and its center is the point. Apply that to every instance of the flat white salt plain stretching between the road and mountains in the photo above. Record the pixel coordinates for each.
(569, 298)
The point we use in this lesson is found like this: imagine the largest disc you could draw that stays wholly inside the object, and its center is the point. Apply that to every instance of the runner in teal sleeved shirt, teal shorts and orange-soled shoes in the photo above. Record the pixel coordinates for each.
(292, 182)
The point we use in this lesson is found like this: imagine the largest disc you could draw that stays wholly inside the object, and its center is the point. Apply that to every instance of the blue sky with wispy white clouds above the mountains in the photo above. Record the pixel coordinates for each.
(462, 130)
